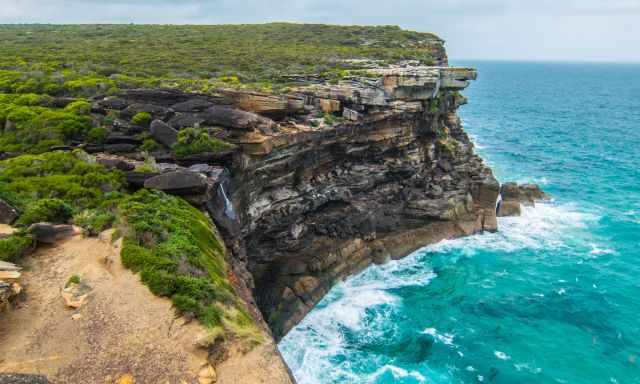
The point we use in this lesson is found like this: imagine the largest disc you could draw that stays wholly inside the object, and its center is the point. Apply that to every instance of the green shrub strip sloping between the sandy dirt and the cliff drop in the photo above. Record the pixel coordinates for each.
(173, 246)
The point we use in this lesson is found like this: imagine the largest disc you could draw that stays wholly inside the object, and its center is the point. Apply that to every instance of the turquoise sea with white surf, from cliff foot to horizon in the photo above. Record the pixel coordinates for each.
(554, 297)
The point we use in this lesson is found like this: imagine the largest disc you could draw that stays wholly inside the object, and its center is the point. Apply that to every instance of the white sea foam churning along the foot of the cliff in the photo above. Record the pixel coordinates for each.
(365, 303)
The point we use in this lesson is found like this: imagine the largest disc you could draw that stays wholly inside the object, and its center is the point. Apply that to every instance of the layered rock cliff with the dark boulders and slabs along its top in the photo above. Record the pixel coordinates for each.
(324, 180)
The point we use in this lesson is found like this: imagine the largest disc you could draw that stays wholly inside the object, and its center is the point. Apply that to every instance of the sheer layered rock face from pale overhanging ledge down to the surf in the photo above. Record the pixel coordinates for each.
(314, 204)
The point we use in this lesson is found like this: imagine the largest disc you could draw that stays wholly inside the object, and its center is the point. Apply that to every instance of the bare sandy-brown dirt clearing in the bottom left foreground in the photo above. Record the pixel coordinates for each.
(121, 329)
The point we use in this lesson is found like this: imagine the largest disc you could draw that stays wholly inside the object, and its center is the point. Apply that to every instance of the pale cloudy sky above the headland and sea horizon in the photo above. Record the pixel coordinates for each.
(598, 30)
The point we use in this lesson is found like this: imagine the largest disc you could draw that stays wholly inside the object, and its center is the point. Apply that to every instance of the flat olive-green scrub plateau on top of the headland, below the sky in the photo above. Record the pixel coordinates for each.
(83, 60)
